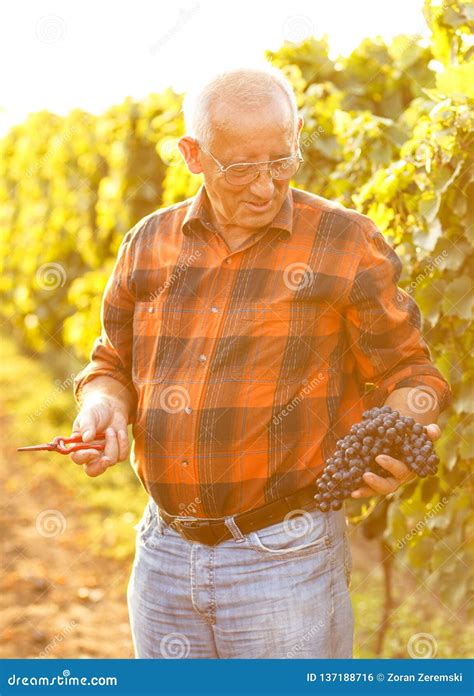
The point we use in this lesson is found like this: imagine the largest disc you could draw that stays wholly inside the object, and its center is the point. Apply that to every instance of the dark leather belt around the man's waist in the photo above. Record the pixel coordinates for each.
(213, 531)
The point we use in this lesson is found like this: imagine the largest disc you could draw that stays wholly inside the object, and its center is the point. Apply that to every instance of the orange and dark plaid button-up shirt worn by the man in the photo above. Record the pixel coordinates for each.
(246, 366)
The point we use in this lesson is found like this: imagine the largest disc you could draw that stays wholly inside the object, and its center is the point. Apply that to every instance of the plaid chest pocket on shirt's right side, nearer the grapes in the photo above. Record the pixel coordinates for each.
(271, 343)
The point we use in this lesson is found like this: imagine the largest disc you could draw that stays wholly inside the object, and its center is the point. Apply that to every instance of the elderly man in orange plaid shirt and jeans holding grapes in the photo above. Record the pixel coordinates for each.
(239, 329)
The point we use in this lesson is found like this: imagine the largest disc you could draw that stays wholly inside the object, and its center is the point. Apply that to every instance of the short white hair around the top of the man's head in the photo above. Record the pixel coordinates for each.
(245, 87)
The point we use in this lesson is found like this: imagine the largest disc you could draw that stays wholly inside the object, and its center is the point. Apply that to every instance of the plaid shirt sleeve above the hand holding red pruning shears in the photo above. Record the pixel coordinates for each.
(111, 354)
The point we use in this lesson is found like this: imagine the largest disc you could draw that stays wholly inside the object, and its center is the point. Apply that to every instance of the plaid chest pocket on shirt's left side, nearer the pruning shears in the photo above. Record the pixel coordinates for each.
(155, 328)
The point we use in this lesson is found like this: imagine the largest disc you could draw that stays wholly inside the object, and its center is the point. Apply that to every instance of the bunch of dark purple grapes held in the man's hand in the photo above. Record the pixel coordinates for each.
(382, 431)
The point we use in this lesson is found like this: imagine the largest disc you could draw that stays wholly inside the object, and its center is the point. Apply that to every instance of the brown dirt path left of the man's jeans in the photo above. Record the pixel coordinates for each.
(56, 599)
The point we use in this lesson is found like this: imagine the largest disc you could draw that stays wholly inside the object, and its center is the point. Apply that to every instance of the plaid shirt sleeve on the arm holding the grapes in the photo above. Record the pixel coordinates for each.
(383, 325)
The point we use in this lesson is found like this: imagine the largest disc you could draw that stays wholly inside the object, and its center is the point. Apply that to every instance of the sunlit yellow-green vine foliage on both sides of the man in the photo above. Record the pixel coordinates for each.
(388, 131)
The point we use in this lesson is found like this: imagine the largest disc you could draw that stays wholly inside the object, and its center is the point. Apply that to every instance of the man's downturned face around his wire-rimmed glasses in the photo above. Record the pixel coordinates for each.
(267, 133)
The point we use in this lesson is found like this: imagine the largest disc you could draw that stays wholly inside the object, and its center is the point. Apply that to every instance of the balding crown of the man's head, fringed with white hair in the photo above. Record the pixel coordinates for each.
(229, 99)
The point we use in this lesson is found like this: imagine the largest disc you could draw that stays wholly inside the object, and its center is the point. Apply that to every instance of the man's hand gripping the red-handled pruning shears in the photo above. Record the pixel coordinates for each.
(101, 414)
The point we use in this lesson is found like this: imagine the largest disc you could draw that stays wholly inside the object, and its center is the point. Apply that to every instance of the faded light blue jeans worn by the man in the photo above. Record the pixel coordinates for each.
(280, 592)
